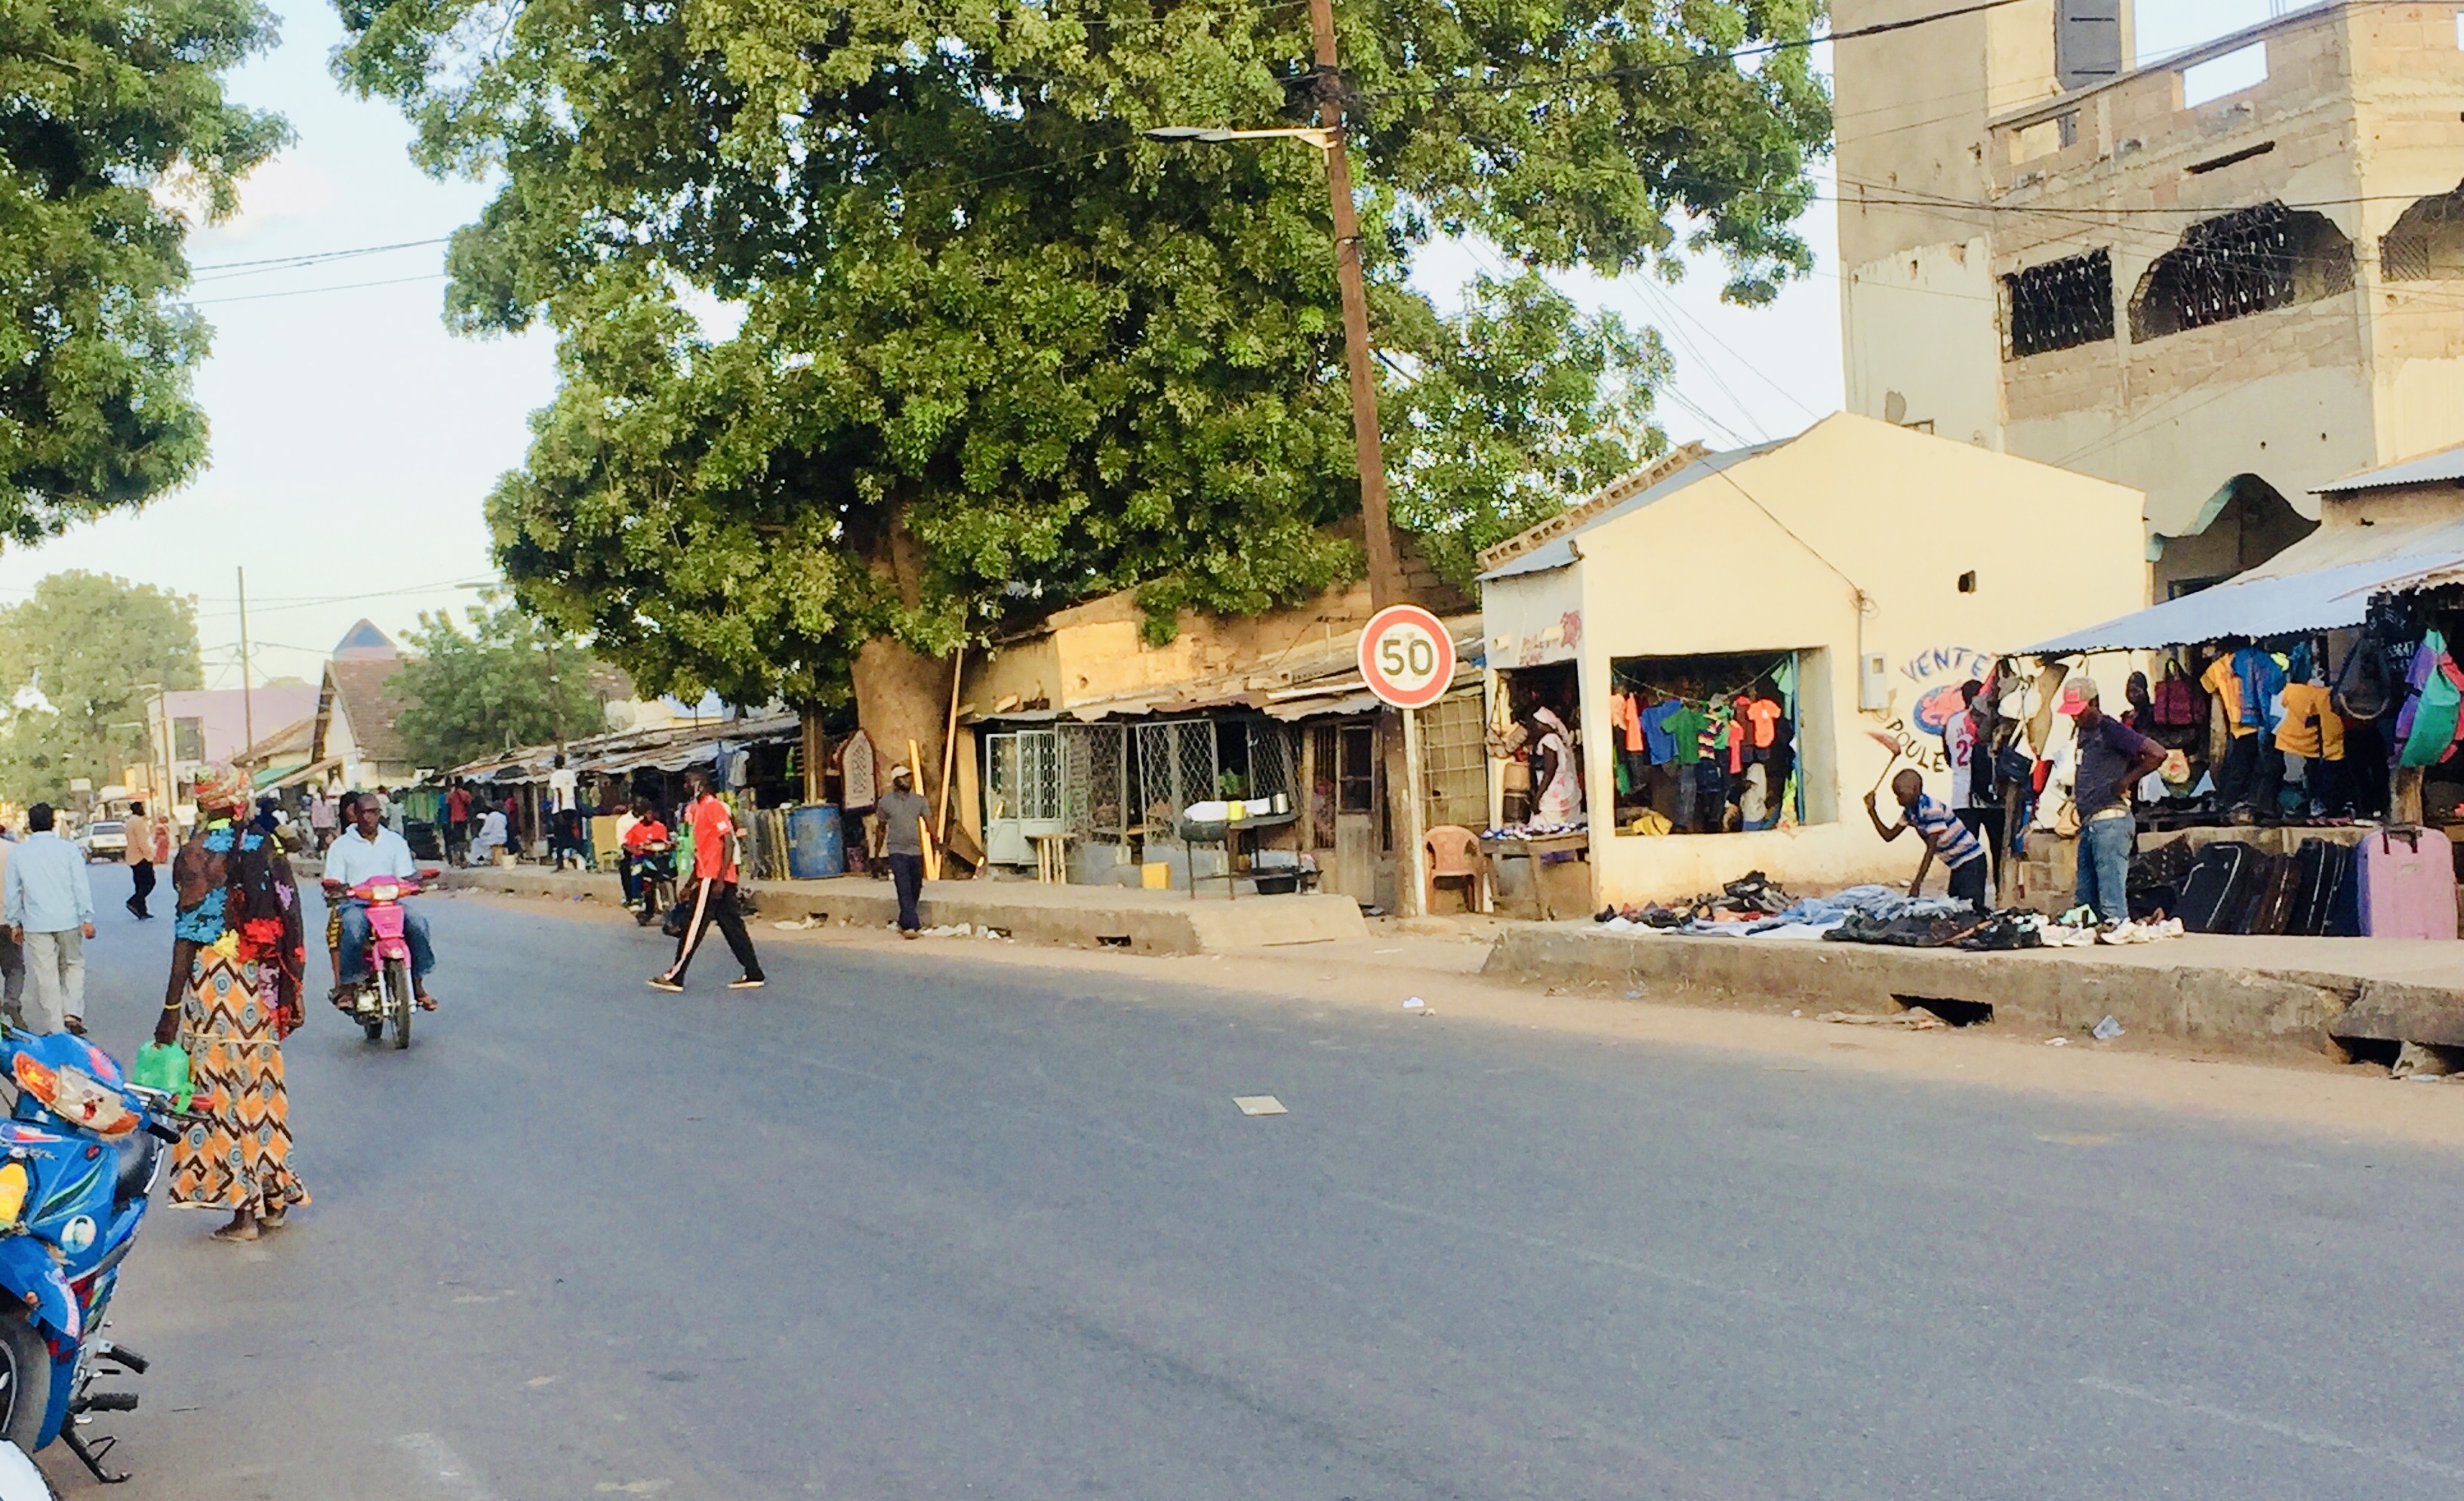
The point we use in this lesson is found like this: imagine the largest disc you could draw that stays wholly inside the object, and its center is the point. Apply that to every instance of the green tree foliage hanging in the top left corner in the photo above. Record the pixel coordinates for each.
(112, 117)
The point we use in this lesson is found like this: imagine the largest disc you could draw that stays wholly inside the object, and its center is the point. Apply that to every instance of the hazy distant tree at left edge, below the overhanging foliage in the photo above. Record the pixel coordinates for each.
(80, 664)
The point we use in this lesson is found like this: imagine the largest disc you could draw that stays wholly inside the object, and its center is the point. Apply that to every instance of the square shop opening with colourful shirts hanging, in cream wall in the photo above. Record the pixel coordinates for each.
(1706, 743)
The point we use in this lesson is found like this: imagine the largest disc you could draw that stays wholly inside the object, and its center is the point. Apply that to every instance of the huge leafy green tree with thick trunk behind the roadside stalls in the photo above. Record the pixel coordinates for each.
(994, 349)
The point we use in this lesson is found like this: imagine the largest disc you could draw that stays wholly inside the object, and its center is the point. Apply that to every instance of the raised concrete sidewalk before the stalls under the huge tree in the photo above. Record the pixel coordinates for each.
(1142, 923)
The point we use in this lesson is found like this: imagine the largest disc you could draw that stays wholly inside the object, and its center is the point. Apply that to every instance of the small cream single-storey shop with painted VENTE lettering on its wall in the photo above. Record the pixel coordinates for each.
(1884, 566)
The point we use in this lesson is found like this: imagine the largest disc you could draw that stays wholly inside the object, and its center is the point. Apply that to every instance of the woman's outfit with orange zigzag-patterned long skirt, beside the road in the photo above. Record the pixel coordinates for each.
(240, 933)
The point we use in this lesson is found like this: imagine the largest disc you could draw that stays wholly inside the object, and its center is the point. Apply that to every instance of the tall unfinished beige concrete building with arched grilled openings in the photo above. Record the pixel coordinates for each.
(2226, 280)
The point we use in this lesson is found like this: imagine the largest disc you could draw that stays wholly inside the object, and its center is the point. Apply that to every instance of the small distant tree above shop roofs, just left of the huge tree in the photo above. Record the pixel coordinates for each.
(501, 684)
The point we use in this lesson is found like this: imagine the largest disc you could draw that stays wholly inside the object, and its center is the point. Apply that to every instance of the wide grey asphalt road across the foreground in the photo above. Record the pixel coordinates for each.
(906, 1226)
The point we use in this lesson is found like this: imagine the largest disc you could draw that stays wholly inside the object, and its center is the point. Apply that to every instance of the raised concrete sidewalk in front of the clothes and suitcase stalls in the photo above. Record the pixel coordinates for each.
(2199, 987)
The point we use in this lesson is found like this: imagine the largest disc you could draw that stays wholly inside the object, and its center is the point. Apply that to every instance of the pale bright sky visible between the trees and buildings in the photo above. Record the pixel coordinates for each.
(354, 440)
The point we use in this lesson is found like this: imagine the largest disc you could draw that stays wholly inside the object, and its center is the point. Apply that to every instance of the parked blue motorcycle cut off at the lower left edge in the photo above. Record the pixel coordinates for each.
(78, 1165)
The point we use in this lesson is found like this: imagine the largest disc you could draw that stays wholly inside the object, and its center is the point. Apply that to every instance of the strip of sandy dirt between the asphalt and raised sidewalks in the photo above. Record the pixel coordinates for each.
(1440, 965)
